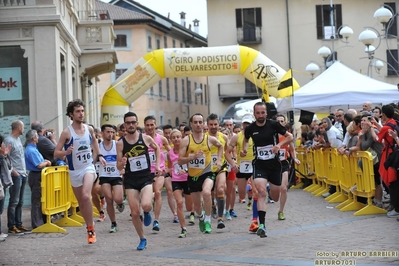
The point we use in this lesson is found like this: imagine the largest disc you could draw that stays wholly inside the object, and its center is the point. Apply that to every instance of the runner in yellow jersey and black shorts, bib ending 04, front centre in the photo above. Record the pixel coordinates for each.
(195, 151)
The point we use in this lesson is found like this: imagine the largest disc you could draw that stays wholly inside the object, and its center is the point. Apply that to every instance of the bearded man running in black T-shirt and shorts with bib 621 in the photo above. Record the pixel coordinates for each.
(267, 166)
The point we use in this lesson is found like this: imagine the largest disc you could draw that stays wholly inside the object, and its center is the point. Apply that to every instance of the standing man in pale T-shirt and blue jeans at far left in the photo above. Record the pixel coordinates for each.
(19, 178)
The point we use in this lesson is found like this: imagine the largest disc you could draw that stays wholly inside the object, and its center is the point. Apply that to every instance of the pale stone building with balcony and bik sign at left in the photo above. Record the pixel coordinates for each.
(52, 52)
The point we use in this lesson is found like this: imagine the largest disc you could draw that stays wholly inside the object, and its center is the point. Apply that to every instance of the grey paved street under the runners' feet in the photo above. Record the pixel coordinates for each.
(313, 231)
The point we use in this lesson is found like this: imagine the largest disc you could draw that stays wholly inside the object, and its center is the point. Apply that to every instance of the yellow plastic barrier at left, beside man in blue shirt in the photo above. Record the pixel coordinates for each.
(55, 198)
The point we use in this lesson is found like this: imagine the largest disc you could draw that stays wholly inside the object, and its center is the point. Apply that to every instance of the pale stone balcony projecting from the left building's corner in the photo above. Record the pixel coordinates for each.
(96, 37)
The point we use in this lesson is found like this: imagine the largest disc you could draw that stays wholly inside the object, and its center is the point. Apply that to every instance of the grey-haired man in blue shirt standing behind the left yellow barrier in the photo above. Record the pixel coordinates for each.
(35, 163)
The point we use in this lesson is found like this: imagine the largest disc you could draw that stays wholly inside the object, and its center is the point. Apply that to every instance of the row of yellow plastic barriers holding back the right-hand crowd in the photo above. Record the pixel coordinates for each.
(352, 178)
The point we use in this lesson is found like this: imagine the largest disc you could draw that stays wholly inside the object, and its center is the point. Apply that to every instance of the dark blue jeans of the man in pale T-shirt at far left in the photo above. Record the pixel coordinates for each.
(14, 211)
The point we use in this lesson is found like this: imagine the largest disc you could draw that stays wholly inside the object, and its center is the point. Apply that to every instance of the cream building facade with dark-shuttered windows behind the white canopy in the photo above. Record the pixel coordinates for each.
(291, 32)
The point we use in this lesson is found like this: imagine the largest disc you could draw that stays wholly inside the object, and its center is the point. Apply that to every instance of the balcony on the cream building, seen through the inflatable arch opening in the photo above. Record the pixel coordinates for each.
(237, 90)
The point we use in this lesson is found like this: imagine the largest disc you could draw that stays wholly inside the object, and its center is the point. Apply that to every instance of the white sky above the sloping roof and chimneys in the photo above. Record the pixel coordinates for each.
(194, 9)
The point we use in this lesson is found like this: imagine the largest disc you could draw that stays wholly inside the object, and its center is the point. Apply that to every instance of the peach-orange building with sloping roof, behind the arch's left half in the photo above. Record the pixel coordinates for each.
(139, 31)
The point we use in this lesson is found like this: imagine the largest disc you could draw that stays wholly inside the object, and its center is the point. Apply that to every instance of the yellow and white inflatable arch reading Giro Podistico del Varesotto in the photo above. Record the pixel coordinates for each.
(186, 62)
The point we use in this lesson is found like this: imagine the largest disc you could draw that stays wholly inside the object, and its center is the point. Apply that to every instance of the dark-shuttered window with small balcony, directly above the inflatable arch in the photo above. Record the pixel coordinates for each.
(249, 23)
